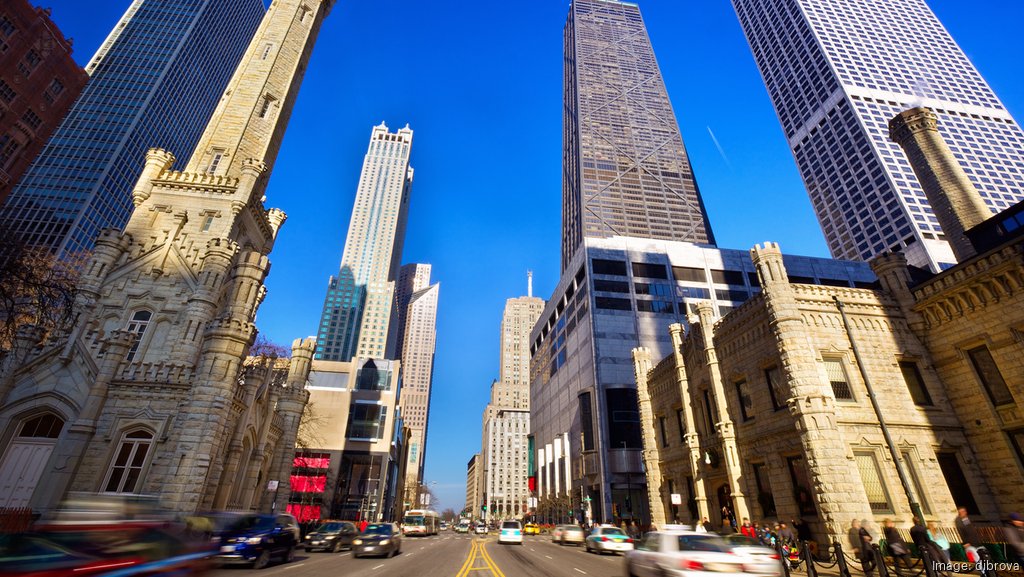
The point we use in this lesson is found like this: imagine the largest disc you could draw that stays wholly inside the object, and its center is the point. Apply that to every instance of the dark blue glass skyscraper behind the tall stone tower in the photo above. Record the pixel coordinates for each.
(155, 83)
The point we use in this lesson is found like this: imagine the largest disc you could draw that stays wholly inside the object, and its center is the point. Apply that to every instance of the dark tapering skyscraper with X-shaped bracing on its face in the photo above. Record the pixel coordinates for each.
(625, 169)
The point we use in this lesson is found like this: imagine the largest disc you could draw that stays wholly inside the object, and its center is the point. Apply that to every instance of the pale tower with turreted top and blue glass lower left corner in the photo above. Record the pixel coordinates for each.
(358, 308)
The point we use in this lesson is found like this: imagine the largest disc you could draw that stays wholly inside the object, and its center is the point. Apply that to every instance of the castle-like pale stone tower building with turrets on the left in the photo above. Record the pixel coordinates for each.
(150, 393)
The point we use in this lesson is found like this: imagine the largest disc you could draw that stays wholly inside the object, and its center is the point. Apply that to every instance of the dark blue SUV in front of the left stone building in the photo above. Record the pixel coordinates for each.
(257, 540)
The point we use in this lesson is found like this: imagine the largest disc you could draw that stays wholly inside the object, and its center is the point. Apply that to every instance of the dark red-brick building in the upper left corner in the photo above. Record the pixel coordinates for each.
(39, 81)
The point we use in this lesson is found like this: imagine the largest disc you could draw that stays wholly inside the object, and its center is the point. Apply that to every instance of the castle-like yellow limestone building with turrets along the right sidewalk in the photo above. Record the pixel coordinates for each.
(765, 410)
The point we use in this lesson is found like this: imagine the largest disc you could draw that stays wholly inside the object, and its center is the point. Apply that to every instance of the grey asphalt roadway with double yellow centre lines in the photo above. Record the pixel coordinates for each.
(450, 556)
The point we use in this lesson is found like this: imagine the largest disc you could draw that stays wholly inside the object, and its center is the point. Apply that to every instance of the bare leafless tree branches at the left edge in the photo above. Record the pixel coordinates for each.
(36, 288)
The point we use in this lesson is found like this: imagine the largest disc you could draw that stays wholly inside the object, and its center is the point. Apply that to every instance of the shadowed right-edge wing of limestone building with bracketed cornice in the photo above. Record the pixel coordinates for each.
(982, 304)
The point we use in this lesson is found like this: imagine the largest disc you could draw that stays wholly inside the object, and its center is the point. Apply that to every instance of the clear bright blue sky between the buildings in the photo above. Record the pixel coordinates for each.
(481, 86)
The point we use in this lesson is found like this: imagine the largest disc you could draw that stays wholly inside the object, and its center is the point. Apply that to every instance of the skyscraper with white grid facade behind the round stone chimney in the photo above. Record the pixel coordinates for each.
(837, 73)
